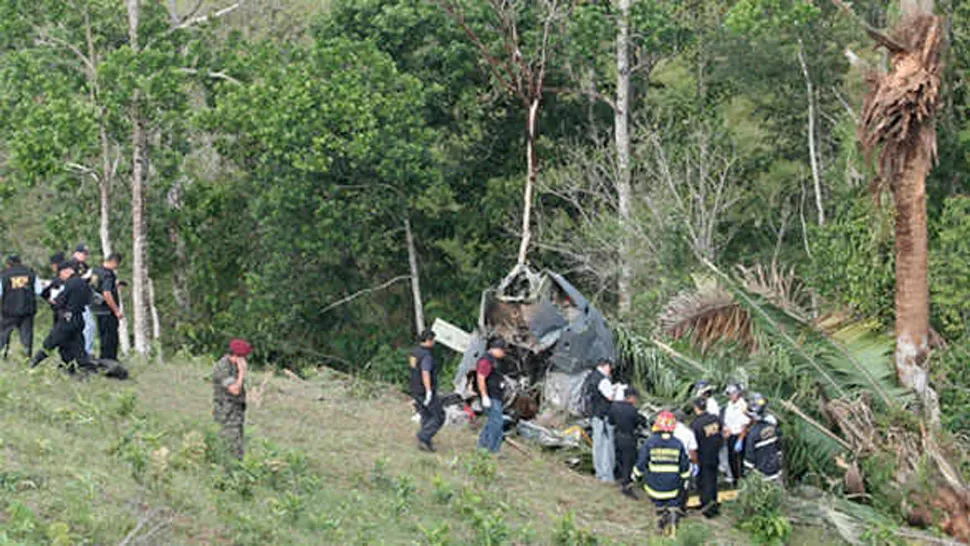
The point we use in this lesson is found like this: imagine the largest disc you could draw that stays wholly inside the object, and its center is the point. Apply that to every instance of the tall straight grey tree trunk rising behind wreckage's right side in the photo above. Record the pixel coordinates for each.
(624, 188)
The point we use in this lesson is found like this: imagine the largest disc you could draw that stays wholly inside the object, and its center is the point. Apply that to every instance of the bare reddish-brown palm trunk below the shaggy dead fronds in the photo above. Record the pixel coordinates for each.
(912, 283)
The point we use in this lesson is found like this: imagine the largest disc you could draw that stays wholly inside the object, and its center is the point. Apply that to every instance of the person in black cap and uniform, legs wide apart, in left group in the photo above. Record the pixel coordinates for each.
(68, 333)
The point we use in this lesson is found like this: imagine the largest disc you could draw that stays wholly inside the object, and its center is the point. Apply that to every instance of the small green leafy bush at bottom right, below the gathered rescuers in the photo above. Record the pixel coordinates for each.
(759, 512)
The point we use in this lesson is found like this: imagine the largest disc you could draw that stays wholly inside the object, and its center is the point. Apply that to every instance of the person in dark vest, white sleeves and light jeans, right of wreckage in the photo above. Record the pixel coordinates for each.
(600, 392)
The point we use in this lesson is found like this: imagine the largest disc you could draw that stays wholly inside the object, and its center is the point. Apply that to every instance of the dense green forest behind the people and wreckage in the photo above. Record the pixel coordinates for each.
(323, 177)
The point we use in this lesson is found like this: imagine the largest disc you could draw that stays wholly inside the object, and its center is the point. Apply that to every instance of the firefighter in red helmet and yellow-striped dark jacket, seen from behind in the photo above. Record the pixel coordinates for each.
(664, 465)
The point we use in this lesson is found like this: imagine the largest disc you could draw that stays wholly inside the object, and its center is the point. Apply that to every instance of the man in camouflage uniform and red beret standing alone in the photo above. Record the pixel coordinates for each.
(229, 394)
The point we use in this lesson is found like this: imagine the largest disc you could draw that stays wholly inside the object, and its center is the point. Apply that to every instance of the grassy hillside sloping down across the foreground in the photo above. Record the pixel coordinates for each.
(331, 461)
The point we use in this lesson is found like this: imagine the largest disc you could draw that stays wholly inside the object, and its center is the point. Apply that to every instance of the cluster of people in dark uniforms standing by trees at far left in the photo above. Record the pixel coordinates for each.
(85, 302)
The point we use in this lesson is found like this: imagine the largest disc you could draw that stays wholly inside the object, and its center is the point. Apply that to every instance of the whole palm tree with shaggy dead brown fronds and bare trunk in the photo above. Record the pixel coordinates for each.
(899, 121)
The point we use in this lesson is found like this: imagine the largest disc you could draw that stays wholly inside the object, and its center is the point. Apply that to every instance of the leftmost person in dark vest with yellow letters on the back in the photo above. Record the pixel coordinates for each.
(18, 289)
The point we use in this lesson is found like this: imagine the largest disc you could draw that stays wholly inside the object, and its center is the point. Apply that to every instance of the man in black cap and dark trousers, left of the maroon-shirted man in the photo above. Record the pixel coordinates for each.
(424, 382)
